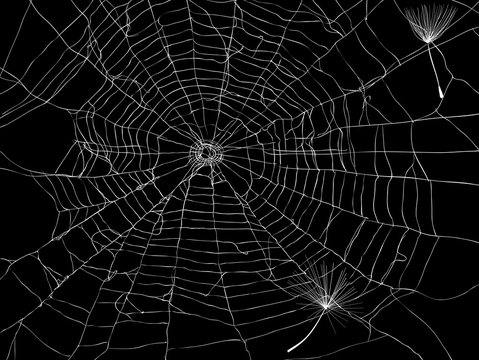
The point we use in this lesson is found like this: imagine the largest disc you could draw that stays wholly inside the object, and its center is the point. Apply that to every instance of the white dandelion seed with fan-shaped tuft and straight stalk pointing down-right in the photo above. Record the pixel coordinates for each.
(428, 23)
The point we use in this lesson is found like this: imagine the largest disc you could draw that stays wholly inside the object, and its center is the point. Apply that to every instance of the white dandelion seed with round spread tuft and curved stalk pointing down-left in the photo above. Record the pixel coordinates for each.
(328, 295)
